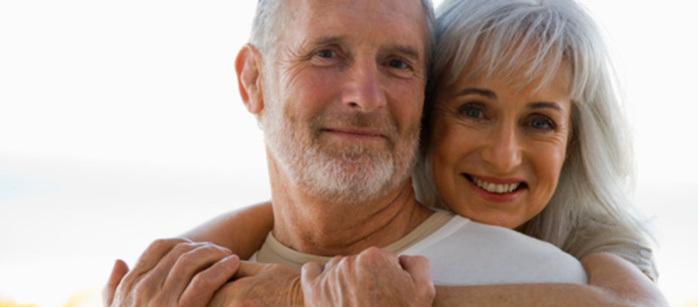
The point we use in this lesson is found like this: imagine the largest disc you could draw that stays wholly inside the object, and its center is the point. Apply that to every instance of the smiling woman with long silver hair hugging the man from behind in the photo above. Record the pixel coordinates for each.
(522, 130)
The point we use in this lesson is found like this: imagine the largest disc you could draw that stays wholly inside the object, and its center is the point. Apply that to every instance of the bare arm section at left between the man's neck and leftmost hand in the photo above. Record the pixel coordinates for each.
(242, 231)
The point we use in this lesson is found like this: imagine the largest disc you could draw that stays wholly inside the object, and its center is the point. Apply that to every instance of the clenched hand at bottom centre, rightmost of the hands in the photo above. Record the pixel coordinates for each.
(372, 278)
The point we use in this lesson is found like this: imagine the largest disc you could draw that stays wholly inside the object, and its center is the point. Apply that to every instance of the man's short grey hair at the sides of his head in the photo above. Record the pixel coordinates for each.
(269, 20)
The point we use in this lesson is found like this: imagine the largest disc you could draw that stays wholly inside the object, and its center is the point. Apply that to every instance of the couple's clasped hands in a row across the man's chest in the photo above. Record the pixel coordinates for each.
(178, 272)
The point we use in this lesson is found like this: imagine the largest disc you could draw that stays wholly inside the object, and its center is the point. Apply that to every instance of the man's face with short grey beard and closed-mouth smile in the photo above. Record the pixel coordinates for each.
(343, 95)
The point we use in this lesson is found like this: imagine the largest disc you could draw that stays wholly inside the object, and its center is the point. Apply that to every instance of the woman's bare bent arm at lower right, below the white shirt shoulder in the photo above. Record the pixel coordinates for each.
(612, 282)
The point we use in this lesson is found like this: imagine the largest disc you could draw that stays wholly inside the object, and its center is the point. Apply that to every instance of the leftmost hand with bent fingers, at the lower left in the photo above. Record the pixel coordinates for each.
(171, 272)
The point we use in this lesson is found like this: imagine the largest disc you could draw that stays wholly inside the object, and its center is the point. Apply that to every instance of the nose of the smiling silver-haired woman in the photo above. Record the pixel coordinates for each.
(502, 151)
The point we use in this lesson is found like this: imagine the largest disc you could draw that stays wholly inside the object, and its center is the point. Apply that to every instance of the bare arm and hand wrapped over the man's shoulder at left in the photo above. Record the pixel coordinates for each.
(201, 269)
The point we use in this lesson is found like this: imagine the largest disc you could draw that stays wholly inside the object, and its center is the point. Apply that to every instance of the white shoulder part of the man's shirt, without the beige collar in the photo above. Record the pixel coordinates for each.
(464, 252)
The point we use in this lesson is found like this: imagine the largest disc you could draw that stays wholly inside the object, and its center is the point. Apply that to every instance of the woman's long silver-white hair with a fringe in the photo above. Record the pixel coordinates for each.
(590, 210)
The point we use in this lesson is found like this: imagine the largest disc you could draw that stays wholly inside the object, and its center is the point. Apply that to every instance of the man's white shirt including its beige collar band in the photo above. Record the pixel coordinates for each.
(463, 252)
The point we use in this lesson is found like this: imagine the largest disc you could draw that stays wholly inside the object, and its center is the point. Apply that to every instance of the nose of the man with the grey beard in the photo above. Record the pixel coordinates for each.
(364, 91)
